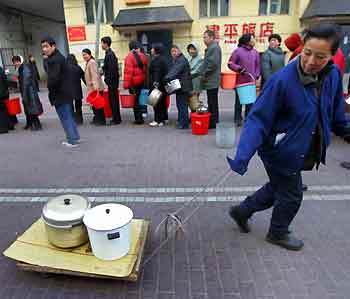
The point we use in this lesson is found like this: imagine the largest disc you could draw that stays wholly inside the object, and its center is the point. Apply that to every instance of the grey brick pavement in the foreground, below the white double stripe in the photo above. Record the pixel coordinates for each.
(215, 261)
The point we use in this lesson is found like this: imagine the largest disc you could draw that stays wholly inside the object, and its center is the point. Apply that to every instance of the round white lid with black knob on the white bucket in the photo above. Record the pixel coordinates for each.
(108, 217)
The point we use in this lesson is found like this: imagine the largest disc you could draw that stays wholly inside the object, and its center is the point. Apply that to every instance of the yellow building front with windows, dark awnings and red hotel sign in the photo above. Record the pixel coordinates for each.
(180, 22)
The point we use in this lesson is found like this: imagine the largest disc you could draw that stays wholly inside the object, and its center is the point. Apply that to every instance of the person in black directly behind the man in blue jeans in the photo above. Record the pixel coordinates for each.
(77, 77)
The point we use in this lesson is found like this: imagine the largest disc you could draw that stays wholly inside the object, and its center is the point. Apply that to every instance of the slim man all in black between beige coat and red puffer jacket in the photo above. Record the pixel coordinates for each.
(111, 73)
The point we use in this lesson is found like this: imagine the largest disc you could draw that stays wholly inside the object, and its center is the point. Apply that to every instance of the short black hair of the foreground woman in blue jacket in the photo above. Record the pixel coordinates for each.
(330, 32)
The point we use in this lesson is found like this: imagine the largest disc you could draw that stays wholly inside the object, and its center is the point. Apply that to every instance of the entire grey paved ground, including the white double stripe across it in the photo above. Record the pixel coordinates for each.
(153, 170)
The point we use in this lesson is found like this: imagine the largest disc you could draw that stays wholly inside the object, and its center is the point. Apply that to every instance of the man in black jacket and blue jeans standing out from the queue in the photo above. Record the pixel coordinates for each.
(59, 84)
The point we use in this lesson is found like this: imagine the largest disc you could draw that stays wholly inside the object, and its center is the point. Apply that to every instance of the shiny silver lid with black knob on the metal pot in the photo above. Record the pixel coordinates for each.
(65, 210)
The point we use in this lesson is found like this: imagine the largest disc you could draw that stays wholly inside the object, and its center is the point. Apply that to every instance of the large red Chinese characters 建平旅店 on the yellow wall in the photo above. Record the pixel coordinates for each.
(232, 32)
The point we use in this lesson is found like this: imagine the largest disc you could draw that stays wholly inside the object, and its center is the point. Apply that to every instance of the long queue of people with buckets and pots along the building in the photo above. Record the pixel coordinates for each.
(194, 72)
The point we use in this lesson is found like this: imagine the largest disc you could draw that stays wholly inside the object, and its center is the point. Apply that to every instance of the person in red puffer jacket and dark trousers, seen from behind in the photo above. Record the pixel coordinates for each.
(135, 72)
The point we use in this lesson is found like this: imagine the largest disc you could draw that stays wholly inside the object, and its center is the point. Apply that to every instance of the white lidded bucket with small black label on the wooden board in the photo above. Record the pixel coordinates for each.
(109, 229)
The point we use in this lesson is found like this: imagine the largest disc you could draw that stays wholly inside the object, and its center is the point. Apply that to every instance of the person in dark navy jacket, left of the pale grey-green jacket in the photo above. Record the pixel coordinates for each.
(181, 70)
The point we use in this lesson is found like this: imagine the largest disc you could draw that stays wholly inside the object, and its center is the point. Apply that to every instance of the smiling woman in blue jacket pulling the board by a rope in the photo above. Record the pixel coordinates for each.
(290, 126)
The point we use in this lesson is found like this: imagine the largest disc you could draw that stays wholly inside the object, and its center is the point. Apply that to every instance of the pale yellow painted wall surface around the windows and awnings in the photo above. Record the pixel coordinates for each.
(240, 11)
